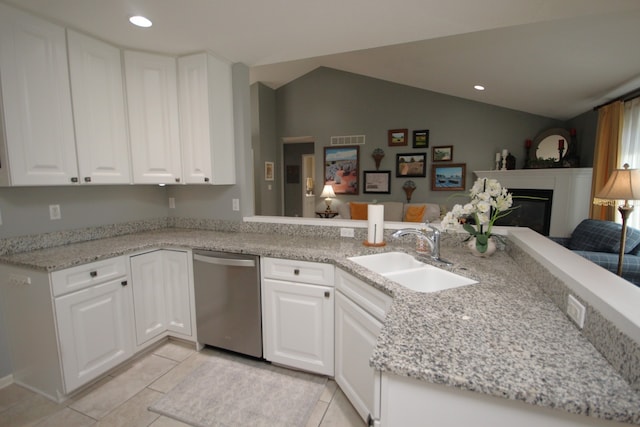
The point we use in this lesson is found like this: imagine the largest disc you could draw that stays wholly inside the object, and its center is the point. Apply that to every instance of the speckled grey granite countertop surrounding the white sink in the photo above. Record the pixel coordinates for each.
(503, 336)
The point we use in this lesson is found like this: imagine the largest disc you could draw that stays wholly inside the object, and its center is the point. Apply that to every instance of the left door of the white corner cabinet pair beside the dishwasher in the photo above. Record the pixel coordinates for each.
(148, 295)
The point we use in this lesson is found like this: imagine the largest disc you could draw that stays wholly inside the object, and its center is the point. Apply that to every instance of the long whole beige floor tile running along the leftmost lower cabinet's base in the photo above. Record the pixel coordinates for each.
(127, 384)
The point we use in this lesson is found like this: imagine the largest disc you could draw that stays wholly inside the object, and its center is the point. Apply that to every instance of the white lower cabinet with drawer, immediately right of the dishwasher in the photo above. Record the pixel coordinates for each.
(298, 317)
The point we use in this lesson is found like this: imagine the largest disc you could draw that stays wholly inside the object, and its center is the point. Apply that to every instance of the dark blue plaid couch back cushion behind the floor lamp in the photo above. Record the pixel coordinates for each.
(602, 236)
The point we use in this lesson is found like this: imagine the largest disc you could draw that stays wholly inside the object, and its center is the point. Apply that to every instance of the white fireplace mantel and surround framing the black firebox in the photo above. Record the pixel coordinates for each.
(571, 192)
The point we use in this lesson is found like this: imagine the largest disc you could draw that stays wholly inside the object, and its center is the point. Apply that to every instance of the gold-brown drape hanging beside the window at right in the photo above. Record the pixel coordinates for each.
(606, 155)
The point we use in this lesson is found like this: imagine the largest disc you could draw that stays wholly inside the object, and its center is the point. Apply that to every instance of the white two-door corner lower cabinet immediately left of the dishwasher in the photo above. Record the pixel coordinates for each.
(161, 294)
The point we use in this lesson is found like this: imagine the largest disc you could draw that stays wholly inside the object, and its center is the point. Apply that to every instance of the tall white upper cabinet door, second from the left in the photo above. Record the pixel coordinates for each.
(98, 105)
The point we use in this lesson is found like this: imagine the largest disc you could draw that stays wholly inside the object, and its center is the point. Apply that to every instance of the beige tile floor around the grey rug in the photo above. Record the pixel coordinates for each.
(122, 398)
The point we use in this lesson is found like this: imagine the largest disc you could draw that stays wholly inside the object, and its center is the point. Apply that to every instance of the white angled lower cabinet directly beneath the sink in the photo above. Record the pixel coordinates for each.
(360, 310)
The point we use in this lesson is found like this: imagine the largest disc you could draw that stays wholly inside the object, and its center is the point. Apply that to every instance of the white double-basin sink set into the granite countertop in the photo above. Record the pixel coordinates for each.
(407, 271)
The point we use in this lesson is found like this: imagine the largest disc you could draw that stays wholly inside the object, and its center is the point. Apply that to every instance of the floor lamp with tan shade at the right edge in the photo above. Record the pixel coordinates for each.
(623, 185)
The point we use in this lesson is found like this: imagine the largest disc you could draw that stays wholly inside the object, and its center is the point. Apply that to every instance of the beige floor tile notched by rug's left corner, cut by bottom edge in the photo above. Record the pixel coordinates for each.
(133, 412)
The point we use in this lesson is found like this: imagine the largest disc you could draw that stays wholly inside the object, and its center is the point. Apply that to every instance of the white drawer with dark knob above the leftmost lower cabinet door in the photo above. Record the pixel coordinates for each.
(82, 276)
